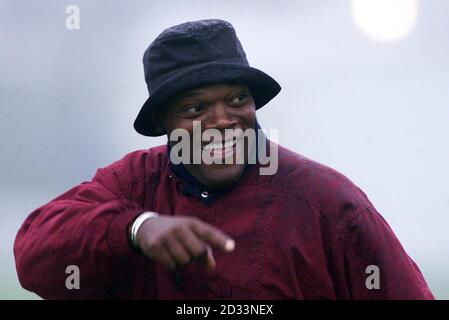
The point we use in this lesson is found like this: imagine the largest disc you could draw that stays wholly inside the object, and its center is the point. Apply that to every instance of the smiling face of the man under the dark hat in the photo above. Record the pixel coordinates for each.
(218, 106)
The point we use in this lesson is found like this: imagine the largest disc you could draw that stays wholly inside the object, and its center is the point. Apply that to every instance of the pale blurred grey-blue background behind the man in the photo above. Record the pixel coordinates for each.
(365, 91)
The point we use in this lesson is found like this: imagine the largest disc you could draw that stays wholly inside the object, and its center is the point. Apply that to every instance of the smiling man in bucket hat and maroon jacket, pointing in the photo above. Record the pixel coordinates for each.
(150, 227)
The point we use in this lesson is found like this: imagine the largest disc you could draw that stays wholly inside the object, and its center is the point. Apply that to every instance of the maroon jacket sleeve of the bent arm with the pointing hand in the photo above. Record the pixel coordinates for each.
(85, 227)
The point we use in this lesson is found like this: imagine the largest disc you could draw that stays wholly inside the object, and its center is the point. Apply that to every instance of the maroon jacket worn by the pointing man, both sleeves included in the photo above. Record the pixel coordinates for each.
(306, 232)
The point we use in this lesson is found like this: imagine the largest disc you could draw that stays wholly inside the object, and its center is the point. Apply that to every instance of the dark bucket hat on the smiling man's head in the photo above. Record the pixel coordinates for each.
(195, 54)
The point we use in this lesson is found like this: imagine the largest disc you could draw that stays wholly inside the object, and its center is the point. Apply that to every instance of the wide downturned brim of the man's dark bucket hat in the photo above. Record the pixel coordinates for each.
(263, 89)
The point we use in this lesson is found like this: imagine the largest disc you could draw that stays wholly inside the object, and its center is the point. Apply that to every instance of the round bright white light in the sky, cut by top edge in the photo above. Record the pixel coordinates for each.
(385, 20)
